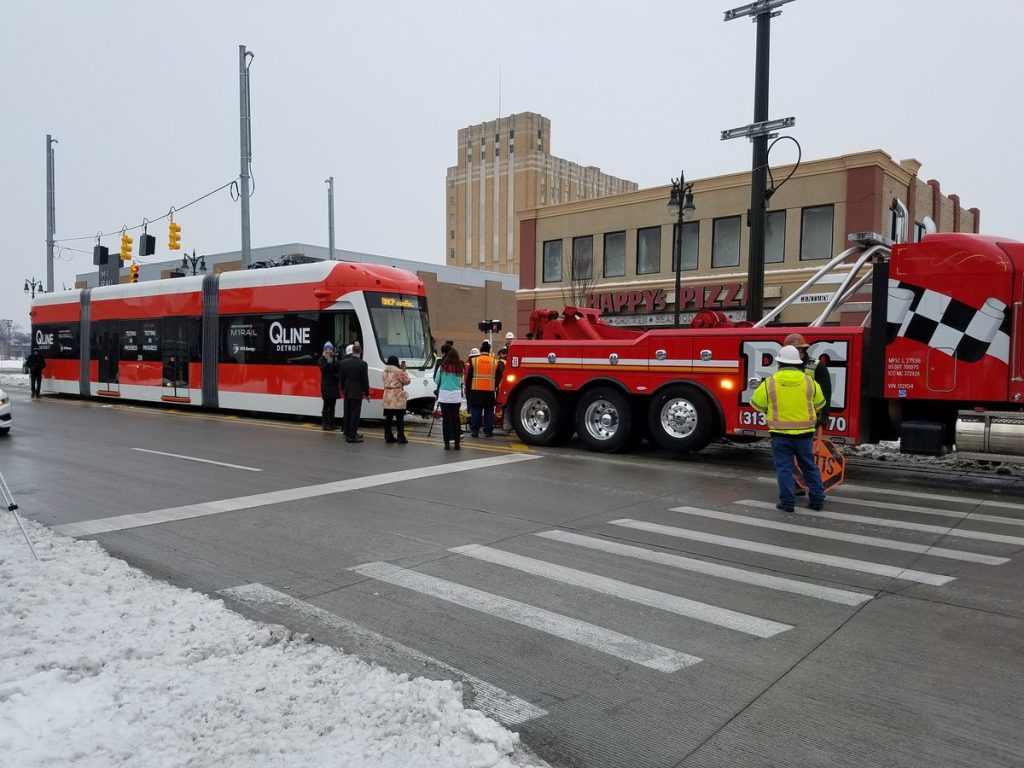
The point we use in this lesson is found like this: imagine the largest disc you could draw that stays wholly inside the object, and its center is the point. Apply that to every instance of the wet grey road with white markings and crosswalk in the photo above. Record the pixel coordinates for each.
(627, 611)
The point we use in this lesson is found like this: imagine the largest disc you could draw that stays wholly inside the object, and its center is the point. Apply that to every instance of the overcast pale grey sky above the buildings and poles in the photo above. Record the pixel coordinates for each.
(144, 100)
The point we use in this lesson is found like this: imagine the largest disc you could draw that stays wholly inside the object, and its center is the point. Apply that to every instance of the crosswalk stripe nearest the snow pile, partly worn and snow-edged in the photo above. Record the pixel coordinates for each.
(491, 700)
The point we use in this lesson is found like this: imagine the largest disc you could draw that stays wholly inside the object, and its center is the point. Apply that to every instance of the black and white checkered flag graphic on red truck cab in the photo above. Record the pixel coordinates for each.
(948, 325)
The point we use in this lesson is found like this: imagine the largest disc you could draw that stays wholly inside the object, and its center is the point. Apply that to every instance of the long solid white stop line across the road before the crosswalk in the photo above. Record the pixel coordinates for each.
(122, 523)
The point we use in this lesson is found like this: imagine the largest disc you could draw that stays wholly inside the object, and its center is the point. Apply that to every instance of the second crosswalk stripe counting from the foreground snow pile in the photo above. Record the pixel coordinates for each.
(574, 630)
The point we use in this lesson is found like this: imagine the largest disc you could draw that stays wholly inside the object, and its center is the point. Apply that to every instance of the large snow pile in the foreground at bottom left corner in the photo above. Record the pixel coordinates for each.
(102, 666)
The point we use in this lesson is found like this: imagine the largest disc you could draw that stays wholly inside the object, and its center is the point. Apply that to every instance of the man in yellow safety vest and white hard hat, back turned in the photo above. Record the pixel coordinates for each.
(791, 401)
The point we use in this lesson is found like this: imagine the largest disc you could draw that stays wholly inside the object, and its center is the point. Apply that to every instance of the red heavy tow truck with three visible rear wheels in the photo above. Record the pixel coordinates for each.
(935, 361)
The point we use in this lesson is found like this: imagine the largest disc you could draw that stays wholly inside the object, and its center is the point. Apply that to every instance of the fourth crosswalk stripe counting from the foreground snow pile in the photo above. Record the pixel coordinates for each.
(781, 584)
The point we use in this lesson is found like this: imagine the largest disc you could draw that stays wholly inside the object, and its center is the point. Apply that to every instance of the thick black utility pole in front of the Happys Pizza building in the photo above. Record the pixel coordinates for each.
(759, 133)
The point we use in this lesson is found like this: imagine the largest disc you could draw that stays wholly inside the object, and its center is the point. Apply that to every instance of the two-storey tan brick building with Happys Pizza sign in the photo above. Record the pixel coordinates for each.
(620, 249)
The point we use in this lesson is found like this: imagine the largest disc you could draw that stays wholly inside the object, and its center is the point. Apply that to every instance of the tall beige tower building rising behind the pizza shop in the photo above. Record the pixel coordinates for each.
(506, 166)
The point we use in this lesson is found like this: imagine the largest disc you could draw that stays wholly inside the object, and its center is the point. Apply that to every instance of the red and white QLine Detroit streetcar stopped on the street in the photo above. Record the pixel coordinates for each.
(245, 340)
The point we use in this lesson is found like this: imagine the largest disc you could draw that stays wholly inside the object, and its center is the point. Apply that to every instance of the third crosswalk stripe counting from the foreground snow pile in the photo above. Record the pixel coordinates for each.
(673, 604)
